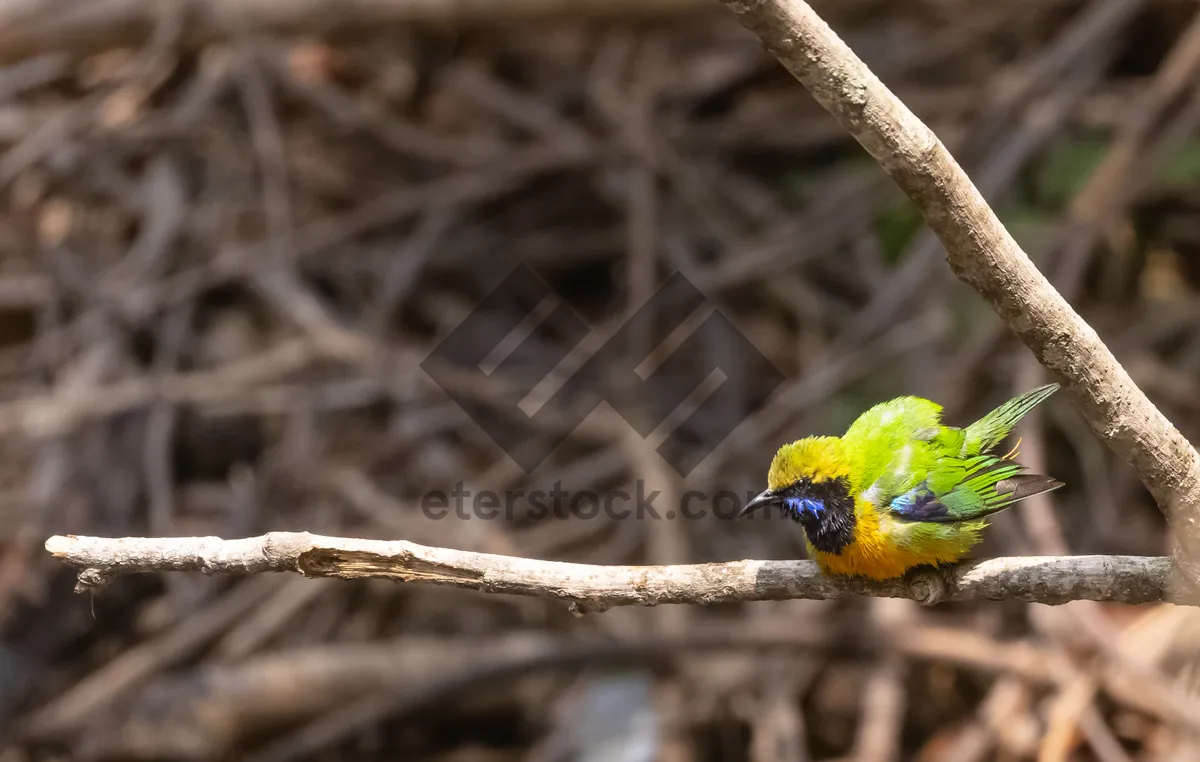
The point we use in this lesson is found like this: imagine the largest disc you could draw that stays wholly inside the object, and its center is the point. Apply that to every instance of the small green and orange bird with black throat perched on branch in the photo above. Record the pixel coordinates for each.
(899, 489)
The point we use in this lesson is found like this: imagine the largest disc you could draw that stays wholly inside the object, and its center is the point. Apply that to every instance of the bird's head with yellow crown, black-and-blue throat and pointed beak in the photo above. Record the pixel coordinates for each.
(811, 482)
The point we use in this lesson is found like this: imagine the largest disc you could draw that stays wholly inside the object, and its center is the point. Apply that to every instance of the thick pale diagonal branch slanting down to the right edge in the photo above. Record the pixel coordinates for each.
(982, 254)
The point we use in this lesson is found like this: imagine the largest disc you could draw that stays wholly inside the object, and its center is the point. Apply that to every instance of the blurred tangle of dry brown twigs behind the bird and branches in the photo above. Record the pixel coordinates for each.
(231, 233)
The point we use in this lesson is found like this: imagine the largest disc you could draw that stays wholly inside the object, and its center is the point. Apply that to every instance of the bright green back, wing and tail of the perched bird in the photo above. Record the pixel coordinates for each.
(937, 473)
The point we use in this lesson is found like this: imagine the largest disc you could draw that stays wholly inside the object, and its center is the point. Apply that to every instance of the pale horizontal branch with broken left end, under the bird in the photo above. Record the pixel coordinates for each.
(1045, 580)
